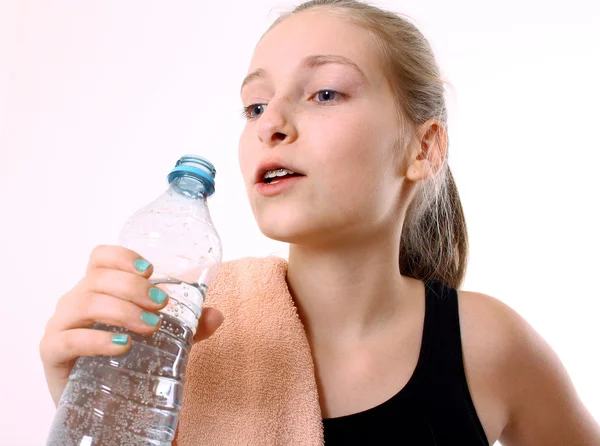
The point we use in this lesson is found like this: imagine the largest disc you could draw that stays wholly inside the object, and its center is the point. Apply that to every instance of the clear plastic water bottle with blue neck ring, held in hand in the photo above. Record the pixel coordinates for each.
(135, 398)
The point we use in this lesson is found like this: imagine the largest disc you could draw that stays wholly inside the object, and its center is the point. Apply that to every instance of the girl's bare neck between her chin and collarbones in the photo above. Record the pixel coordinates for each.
(347, 294)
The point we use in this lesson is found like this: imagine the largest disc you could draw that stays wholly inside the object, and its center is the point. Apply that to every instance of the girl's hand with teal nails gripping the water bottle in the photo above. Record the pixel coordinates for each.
(116, 290)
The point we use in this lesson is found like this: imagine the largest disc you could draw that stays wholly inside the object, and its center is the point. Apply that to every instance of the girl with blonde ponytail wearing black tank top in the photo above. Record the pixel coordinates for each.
(348, 98)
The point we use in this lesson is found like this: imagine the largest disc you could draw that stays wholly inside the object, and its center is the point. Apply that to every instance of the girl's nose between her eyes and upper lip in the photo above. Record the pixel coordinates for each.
(275, 126)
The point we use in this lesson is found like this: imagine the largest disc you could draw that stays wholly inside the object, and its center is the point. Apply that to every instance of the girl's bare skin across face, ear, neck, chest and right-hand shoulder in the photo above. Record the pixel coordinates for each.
(336, 124)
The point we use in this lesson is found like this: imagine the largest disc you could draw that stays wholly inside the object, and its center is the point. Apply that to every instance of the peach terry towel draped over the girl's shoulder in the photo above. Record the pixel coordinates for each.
(253, 381)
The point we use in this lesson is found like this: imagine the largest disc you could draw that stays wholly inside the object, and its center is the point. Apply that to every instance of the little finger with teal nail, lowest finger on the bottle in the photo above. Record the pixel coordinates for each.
(63, 347)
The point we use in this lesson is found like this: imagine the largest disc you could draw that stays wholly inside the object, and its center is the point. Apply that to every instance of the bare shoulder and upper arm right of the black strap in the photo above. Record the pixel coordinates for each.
(508, 362)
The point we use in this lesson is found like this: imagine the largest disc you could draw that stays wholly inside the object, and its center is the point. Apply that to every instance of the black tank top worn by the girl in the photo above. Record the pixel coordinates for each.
(435, 407)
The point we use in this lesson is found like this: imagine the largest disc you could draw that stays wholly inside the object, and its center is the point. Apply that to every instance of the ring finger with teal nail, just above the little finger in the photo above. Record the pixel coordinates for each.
(104, 309)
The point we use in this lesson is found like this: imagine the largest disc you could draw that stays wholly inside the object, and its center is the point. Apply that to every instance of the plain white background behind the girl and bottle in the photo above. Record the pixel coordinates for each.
(98, 99)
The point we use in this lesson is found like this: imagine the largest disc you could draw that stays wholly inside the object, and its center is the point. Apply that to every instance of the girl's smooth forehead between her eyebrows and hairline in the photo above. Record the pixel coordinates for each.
(316, 32)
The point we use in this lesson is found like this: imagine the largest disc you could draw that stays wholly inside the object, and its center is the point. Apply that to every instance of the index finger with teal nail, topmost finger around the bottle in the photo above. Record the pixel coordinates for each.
(118, 257)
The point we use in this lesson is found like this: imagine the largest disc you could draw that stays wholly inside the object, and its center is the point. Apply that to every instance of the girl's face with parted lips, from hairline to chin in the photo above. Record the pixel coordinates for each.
(319, 104)
